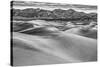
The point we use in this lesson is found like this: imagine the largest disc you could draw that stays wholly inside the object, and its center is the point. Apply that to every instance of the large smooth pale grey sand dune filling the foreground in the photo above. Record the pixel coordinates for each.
(62, 48)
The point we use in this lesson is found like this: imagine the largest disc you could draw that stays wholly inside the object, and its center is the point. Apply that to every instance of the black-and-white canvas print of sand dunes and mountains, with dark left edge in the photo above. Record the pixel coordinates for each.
(52, 33)
